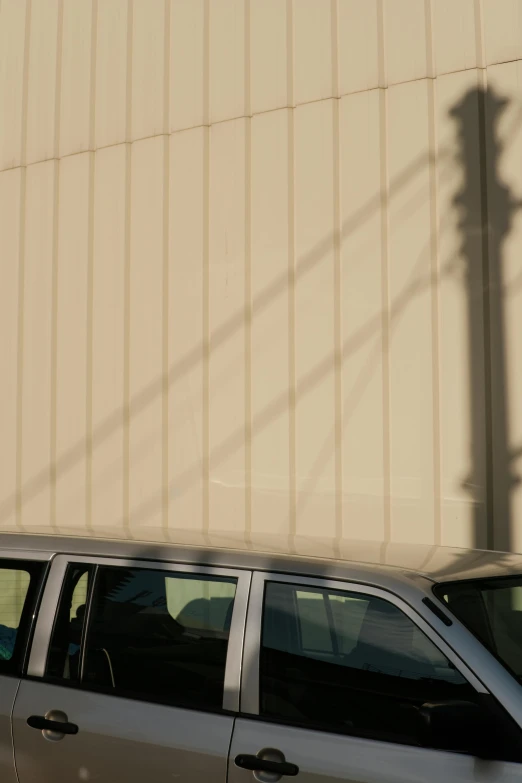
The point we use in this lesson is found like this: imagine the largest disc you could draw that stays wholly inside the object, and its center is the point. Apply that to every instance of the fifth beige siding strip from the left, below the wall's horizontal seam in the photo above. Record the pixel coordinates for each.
(144, 337)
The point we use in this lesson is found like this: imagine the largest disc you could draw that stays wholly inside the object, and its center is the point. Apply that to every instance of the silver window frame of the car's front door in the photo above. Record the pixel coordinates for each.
(250, 681)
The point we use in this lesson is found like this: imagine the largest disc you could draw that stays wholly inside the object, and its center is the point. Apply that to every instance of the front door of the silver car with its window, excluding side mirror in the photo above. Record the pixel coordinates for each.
(333, 675)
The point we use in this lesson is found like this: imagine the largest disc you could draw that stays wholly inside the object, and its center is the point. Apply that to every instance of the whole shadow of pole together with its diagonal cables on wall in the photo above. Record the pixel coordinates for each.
(485, 208)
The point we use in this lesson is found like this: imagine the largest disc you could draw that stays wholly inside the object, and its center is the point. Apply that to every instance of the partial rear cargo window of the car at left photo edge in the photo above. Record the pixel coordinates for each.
(18, 589)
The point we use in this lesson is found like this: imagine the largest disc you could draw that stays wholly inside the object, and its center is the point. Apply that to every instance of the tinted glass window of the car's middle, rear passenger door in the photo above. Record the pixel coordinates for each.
(158, 635)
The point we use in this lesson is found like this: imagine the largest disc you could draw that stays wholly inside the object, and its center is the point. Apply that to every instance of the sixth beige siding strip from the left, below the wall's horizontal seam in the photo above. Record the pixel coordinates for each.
(187, 311)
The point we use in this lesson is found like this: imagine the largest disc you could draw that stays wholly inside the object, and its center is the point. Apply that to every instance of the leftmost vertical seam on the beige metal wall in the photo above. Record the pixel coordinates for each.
(21, 269)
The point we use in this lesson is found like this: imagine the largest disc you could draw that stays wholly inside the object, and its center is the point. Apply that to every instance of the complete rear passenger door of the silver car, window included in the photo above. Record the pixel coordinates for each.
(138, 669)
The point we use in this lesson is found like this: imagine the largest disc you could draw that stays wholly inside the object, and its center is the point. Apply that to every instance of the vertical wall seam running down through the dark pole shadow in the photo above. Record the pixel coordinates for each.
(488, 390)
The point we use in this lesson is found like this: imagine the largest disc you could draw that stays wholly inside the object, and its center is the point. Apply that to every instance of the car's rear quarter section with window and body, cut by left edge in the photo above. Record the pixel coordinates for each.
(20, 578)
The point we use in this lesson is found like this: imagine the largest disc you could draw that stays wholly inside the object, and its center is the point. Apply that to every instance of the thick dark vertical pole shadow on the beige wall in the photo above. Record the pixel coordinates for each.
(485, 208)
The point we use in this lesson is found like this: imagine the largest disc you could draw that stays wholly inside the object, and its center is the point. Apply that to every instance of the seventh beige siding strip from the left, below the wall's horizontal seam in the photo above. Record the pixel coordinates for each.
(227, 349)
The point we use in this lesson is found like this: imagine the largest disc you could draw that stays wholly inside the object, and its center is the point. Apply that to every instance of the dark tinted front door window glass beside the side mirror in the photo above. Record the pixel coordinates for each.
(349, 662)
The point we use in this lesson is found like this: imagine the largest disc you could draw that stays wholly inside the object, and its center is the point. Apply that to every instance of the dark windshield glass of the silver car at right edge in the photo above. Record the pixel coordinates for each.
(492, 610)
